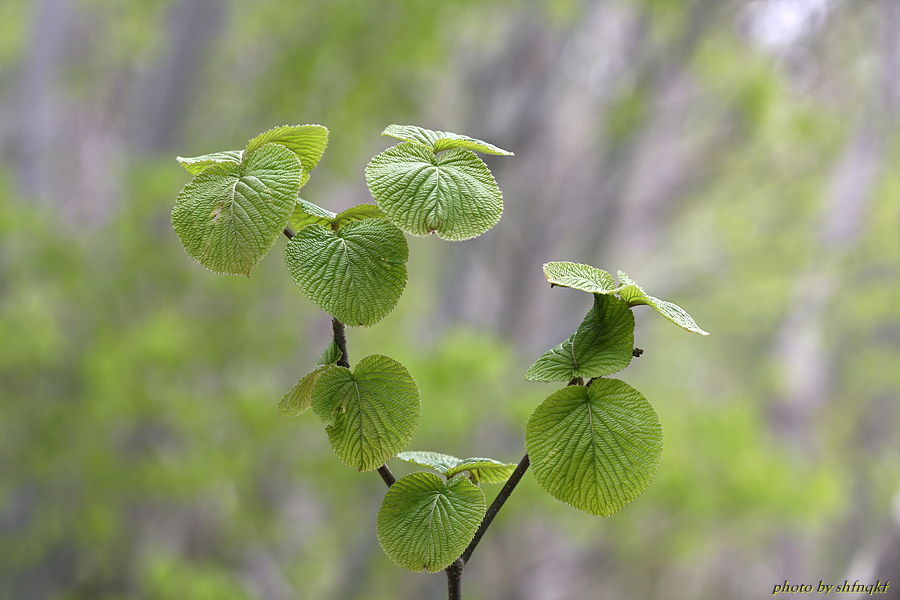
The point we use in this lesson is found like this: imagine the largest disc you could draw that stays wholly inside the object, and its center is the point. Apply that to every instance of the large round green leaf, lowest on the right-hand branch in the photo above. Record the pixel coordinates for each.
(595, 447)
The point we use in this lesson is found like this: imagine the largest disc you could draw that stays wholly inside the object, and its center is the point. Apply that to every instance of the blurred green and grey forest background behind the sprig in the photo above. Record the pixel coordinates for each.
(739, 158)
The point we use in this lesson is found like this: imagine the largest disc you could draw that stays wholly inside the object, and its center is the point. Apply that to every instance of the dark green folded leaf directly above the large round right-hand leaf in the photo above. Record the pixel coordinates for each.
(602, 345)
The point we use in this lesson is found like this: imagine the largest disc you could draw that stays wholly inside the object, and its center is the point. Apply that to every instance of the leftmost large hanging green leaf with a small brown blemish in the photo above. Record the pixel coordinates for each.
(229, 216)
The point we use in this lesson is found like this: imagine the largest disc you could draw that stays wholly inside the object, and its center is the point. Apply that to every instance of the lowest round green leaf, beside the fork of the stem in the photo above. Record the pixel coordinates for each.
(426, 523)
